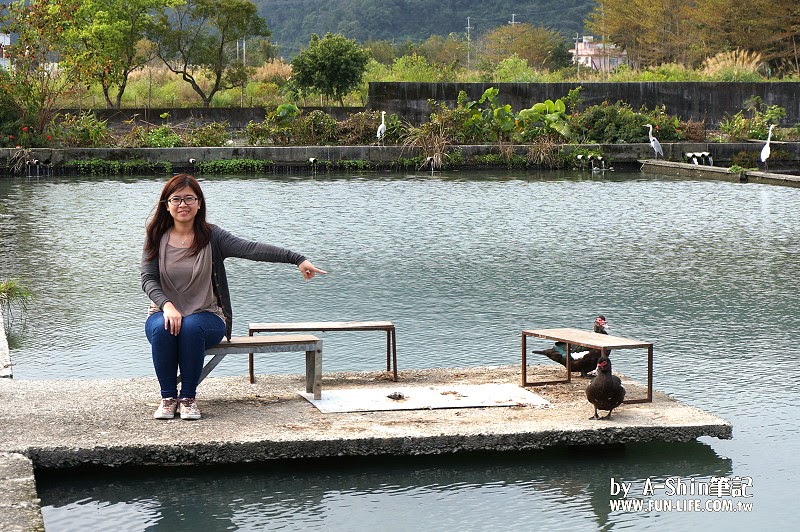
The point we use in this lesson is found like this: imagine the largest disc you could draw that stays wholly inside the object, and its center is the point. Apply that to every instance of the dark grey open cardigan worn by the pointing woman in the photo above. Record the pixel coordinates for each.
(223, 245)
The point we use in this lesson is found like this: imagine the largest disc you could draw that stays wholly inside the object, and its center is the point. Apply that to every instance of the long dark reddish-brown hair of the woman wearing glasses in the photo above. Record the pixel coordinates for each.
(162, 221)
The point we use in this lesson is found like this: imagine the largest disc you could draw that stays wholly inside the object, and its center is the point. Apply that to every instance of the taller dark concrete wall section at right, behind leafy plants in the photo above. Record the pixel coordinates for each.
(710, 101)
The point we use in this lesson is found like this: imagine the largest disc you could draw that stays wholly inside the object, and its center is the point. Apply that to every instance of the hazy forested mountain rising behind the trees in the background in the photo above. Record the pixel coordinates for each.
(293, 21)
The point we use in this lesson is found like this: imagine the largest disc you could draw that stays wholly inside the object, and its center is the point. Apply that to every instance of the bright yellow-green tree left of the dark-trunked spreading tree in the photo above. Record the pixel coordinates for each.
(112, 33)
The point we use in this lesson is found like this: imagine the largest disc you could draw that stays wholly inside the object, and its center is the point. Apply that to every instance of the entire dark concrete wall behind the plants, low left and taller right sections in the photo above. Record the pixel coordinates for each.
(709, 101)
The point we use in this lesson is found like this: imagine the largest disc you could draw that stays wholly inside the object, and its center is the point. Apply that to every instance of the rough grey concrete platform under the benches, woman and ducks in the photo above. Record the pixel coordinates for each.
(109, 423)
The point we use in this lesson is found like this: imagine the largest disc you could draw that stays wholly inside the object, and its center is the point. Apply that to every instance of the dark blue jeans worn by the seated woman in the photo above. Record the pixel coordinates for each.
(185, 351)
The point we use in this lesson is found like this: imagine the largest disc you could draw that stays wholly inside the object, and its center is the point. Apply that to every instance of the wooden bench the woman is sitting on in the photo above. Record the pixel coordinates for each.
(288, 343)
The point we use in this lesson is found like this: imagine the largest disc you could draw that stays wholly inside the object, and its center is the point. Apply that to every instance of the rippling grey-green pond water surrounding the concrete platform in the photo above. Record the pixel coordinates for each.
(707, 270)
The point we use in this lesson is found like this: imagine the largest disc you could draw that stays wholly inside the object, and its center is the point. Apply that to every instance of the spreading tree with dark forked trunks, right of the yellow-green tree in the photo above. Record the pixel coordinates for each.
(197, 40)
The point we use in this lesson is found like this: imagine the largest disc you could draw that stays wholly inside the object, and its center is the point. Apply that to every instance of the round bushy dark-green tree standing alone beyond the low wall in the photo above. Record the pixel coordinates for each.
(332, 66)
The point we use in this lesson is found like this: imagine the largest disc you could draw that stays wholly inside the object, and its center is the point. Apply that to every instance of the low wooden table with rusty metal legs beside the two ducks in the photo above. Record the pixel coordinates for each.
(592, 340)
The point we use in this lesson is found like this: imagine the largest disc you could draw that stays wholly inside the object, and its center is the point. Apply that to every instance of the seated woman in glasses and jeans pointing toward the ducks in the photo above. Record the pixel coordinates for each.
(183, 274)
